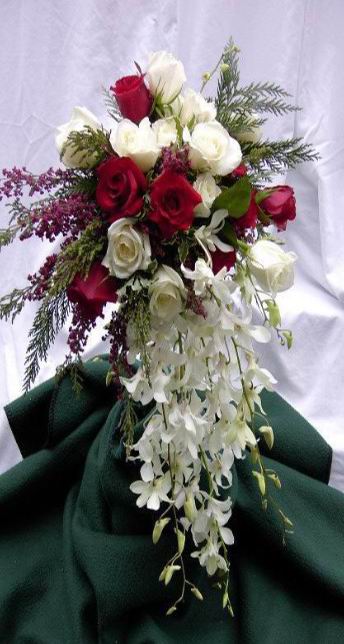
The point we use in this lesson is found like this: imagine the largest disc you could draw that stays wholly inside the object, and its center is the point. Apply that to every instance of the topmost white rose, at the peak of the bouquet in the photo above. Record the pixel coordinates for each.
(165, 75)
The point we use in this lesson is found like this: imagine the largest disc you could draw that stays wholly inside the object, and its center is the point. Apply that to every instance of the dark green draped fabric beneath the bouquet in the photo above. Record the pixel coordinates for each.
(77, 562)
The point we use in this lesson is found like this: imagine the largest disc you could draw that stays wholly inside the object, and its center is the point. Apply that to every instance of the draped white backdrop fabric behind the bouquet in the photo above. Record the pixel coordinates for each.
(55, 55)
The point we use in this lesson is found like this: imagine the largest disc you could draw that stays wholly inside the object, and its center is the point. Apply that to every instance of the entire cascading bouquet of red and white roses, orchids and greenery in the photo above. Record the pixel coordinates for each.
(169, 216)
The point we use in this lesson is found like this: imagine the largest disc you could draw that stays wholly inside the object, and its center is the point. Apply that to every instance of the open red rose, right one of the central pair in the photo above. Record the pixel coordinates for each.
(173, 201)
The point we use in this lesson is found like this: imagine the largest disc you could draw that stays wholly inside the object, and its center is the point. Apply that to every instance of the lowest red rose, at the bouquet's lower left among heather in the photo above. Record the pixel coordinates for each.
(93, 291)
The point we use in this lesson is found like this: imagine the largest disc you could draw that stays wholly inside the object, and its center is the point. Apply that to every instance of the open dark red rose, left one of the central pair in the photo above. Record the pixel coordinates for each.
(120, 187)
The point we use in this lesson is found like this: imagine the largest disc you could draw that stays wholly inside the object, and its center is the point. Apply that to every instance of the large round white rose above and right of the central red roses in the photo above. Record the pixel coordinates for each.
(212, 149)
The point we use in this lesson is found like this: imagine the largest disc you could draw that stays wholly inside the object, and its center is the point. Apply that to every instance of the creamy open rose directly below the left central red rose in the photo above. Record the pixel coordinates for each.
(128, 249)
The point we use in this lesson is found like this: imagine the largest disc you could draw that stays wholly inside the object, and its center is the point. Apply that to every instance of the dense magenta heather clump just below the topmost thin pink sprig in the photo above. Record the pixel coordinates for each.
(67, 216)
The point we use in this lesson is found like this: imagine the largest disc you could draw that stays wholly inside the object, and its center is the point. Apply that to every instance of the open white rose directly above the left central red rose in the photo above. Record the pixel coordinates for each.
(137, 142)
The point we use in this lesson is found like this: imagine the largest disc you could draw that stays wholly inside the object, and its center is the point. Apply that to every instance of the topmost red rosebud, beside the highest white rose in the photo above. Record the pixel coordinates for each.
(133, 97)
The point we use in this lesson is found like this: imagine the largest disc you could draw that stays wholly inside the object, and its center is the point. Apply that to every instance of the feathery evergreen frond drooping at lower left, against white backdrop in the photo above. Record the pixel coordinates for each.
(48, 321)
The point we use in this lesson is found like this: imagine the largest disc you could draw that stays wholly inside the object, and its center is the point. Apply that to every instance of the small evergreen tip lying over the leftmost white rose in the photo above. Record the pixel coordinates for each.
(89, 144)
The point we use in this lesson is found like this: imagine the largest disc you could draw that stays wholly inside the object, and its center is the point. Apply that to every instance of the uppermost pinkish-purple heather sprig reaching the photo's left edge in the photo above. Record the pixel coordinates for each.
(16, 181)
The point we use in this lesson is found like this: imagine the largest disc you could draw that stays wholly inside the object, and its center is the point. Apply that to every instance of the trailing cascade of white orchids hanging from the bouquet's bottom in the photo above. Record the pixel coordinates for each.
(206, 382)
